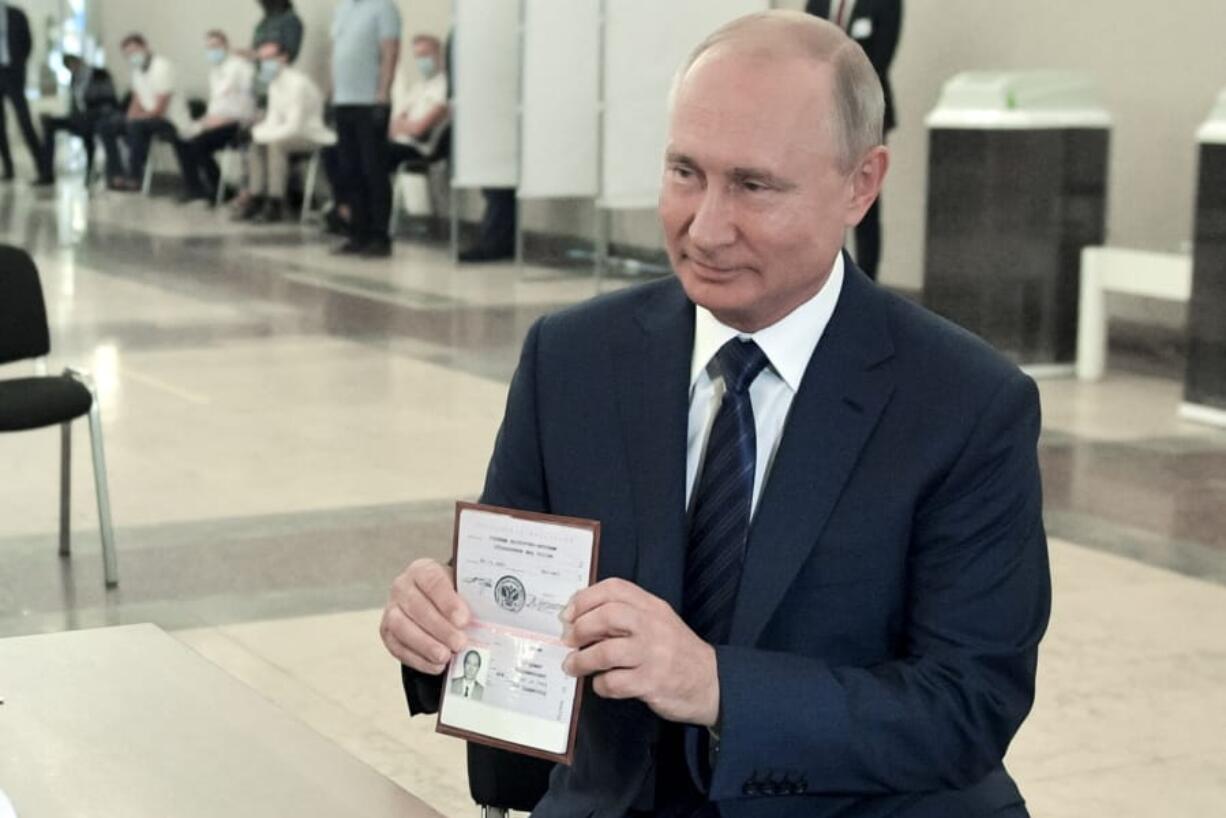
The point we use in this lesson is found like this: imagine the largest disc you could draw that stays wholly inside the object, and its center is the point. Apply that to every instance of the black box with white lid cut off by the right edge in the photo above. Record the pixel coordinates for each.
(1206, 382)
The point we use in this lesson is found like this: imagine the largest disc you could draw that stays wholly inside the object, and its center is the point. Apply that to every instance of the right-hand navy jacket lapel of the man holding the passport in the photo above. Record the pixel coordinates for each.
(847, 386)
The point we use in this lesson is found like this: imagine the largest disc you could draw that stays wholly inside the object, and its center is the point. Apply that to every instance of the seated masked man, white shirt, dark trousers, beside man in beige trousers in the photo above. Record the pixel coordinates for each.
(231, 106)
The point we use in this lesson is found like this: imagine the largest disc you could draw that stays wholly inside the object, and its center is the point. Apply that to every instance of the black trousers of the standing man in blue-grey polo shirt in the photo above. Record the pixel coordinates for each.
(362, 149)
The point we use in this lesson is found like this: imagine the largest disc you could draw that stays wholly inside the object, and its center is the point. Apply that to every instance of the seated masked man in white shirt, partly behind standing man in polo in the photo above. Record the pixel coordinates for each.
(417, 131)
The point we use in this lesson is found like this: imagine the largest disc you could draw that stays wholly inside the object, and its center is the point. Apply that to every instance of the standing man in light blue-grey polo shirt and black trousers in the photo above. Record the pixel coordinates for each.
(366, 50)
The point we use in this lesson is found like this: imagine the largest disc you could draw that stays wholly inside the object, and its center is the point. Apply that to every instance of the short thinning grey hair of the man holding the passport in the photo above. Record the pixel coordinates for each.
(860, 100)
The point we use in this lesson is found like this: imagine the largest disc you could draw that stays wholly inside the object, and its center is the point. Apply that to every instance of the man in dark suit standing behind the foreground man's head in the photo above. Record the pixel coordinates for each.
(876, 25)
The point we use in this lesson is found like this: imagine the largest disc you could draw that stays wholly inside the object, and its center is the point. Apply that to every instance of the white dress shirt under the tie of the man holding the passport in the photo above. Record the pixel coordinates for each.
(789, 345)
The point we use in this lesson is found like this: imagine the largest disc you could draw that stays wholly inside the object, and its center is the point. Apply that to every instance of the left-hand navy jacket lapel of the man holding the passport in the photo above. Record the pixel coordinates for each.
(653, 370)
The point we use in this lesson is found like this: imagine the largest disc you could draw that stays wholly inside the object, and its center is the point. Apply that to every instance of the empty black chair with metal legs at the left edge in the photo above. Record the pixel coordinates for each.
(48, 400)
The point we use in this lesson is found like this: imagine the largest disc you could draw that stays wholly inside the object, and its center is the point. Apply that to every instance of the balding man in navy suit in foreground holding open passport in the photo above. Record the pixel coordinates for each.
(823, 566)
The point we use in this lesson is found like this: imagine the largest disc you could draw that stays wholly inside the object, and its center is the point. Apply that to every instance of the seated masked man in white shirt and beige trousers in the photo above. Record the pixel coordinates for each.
(294, 123)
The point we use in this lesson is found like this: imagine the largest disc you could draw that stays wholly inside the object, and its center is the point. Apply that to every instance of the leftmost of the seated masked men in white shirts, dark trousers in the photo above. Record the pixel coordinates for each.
(158, 110)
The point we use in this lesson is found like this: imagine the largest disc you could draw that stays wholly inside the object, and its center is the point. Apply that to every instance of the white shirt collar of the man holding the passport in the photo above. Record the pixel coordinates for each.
(789, 343)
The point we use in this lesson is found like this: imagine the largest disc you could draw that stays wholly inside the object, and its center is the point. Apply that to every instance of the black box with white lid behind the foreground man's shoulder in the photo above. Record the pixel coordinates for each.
(1017, 187)
